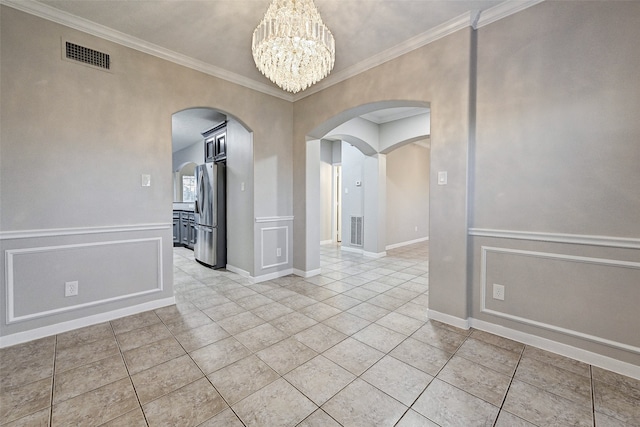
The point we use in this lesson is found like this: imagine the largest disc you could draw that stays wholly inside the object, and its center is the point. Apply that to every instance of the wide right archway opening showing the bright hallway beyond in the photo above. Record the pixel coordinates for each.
(378, 179)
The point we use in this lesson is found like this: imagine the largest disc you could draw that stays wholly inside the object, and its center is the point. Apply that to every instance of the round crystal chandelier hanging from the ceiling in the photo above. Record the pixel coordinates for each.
(291, 46)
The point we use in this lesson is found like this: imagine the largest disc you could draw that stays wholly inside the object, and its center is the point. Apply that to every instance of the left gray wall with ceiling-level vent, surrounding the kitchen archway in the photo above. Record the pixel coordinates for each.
(74, 143)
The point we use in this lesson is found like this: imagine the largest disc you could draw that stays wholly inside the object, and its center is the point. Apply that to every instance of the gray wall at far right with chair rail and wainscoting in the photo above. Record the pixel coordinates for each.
(557, 159)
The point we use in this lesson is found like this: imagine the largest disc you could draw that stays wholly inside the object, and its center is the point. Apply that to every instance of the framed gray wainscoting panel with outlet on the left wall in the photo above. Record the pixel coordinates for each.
(106, 271)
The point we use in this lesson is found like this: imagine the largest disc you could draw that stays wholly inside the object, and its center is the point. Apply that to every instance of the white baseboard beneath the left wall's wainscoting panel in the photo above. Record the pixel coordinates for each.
(58, 328)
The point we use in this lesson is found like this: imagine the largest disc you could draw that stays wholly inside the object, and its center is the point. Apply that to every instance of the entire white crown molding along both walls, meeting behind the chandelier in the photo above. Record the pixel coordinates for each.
(474, 19)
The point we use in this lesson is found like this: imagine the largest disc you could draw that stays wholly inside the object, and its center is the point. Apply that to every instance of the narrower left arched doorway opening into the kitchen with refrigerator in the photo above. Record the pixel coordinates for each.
(190, 129)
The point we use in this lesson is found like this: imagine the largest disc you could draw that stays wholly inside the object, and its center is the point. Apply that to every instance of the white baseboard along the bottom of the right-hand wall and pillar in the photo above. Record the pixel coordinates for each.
(589, 357)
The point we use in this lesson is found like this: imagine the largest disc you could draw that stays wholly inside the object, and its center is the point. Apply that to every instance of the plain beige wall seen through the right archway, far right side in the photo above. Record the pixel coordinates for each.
(407, 194)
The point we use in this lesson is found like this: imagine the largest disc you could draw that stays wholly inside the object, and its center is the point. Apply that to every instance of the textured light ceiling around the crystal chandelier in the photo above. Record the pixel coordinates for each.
(218, 32)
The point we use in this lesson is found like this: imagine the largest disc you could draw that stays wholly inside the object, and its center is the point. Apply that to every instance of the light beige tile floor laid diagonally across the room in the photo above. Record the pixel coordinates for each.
(348, 348)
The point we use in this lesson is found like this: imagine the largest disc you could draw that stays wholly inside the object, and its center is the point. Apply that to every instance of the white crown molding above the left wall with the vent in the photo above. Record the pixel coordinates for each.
(55, 15)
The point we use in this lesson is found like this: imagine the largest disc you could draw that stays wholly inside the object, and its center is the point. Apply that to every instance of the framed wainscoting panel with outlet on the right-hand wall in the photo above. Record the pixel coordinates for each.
(586, 297)
